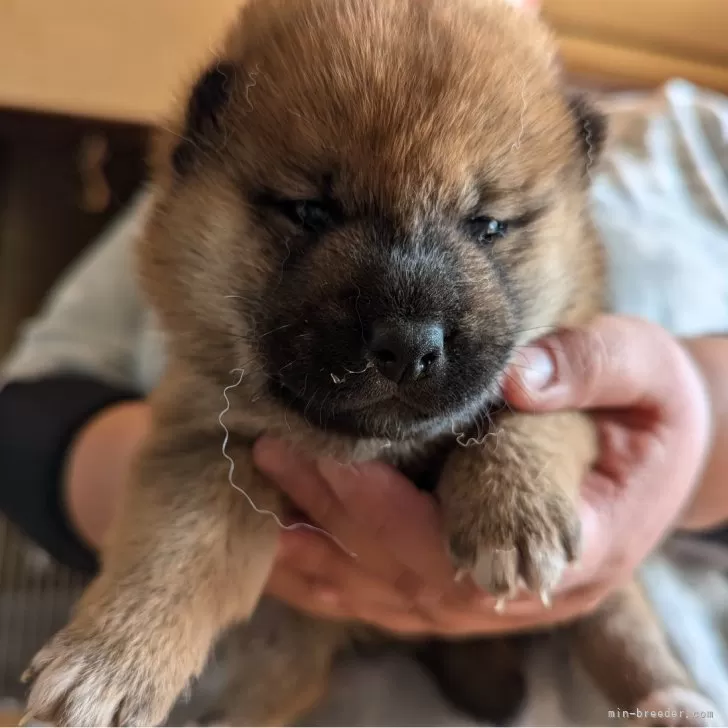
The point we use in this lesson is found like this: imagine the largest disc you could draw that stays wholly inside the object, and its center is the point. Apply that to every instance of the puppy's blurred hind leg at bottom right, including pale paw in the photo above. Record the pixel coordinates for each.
(623, 648)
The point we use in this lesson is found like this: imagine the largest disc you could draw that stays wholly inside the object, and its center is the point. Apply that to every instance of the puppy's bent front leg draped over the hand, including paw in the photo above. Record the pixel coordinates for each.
(510, 504)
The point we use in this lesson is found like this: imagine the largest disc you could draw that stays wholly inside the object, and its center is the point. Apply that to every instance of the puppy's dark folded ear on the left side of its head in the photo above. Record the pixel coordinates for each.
(208, 99)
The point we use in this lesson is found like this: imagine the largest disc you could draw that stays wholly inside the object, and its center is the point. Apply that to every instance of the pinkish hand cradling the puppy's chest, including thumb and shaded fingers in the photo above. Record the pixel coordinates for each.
(652, 416)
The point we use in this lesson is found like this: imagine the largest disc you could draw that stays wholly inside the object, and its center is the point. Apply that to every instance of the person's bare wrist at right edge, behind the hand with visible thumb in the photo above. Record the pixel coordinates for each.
(709, 508)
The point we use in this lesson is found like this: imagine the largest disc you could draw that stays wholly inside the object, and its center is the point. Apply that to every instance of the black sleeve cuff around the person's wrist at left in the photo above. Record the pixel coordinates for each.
(38, 422)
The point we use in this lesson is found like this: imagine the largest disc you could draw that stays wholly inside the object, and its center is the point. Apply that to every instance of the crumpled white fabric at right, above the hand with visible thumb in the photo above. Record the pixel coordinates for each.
(661, 204)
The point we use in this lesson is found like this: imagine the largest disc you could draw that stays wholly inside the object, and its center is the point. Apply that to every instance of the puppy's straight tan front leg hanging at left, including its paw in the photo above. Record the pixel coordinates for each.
(188, 557)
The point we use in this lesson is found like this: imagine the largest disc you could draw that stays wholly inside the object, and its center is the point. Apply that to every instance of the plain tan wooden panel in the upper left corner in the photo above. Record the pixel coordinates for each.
(122, 60)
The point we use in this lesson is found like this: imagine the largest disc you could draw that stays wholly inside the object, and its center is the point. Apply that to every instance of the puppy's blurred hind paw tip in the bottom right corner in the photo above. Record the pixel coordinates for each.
(676, 707)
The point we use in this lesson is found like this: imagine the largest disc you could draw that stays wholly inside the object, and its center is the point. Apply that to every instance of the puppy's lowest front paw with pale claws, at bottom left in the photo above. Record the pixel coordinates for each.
(87, 677)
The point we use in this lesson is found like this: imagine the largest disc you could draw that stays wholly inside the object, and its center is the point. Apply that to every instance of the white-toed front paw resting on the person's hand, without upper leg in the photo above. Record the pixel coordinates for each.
(524, 537)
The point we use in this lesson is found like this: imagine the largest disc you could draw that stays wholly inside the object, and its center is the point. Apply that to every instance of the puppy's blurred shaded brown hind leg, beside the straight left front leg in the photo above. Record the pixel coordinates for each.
(280, 664)
